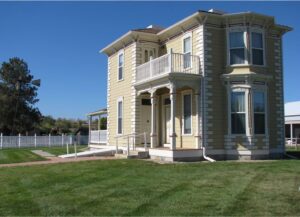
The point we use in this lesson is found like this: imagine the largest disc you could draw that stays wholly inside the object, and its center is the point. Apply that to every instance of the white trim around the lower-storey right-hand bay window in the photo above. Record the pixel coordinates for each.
(264, 90)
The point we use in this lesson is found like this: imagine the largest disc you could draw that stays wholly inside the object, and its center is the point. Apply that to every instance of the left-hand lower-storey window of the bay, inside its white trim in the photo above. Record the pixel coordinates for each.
(238, 113)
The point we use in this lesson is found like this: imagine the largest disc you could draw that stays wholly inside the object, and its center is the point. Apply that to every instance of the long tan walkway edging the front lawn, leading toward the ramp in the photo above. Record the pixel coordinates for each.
(56, 160)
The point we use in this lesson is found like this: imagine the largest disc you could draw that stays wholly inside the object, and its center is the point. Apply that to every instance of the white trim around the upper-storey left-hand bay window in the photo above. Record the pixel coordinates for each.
(237, 29)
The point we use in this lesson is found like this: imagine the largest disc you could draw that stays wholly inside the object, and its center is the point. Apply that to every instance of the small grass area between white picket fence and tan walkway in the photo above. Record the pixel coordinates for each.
(25, 155)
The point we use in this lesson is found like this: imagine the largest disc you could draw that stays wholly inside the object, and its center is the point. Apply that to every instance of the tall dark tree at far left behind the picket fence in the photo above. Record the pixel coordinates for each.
(18, 96)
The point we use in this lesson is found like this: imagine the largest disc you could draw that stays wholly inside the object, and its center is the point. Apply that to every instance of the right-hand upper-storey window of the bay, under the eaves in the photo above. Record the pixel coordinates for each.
(257, 48)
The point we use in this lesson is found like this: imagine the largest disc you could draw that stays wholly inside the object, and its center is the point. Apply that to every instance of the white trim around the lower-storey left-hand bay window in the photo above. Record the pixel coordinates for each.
(238, 88)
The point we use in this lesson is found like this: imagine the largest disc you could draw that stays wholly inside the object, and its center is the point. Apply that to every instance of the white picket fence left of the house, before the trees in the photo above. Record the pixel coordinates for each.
(40, 141)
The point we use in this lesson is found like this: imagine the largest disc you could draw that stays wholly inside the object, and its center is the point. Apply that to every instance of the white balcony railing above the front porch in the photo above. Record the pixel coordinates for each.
(168, 63)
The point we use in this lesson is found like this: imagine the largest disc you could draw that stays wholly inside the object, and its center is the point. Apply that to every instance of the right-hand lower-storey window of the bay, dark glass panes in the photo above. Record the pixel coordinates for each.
(259, 112)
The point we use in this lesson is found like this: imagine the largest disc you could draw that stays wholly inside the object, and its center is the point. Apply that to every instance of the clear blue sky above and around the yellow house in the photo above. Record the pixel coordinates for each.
(61, 41)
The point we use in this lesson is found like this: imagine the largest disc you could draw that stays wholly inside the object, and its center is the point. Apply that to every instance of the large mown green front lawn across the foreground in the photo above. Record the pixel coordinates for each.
(135, 187)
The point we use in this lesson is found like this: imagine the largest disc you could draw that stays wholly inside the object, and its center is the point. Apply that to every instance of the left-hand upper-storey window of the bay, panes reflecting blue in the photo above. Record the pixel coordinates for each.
(237, 48)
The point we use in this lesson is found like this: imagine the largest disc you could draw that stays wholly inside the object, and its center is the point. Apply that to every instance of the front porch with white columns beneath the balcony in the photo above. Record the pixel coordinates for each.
(171, 115)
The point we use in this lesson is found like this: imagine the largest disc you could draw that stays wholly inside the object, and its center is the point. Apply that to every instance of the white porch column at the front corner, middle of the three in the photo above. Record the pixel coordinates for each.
(173, 116)
